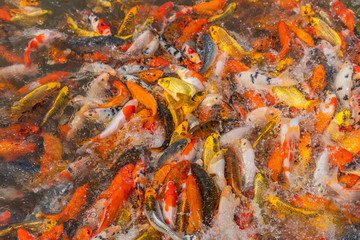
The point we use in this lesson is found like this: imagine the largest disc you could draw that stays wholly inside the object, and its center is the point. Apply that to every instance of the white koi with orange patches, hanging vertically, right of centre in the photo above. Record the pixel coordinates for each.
(289, 135)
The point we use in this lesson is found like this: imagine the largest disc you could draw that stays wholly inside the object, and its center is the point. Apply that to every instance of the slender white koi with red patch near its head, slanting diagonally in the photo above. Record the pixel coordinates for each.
(119, 120)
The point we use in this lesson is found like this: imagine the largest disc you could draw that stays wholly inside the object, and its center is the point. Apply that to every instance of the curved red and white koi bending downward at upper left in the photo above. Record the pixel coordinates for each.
(45, 39)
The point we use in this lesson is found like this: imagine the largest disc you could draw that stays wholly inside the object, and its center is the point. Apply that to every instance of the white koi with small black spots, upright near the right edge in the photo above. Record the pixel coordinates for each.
(343, 84)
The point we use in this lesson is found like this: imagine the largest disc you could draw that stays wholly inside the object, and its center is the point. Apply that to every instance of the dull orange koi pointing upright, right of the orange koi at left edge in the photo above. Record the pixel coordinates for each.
(53, 153)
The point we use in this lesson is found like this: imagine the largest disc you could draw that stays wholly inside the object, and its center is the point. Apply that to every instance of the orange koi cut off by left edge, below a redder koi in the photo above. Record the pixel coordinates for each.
(12, 150)
